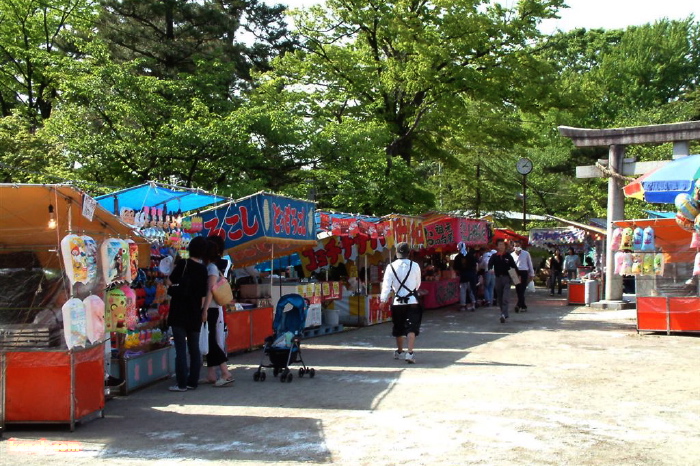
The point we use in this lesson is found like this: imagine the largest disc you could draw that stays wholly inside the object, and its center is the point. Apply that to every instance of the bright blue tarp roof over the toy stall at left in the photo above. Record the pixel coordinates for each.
(152, 194)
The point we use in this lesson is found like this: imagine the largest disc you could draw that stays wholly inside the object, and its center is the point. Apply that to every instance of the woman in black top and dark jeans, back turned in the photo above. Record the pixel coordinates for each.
(187, 292)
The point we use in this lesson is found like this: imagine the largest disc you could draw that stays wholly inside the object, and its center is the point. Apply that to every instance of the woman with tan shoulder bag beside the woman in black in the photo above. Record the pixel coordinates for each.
(216, 357)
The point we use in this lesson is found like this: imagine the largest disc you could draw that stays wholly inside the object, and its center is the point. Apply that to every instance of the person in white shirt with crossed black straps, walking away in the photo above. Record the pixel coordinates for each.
(403, 277)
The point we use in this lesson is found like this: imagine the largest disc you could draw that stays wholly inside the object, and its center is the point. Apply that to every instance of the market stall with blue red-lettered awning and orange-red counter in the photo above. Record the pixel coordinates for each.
(259, 228)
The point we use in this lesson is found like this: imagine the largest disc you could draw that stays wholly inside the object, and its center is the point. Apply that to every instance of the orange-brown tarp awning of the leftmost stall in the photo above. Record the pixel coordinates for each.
(24, 216)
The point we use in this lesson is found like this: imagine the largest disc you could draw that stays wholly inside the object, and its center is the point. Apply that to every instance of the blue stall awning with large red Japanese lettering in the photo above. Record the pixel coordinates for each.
(262, 226)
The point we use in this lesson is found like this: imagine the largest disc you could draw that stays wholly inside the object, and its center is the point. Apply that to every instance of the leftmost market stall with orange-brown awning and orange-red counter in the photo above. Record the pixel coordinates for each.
(52, 311)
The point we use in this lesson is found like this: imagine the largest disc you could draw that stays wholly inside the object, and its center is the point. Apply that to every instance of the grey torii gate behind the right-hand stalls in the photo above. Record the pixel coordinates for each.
(617, 139)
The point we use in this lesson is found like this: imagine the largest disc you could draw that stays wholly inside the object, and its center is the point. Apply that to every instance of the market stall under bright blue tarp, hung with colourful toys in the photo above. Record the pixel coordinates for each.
(166, 216)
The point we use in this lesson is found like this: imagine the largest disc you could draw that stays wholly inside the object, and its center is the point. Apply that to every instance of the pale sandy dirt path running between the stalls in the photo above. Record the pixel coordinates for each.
(557, 385)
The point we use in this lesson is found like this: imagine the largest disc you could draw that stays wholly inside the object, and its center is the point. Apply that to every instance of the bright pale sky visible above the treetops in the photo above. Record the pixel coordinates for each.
(589, 14)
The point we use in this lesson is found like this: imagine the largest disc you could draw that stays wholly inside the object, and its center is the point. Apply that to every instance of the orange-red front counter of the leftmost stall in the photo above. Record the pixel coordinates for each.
(71, 388)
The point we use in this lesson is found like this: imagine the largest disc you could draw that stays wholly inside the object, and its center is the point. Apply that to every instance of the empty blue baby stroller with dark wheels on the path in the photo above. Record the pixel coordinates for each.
(284, 346)
